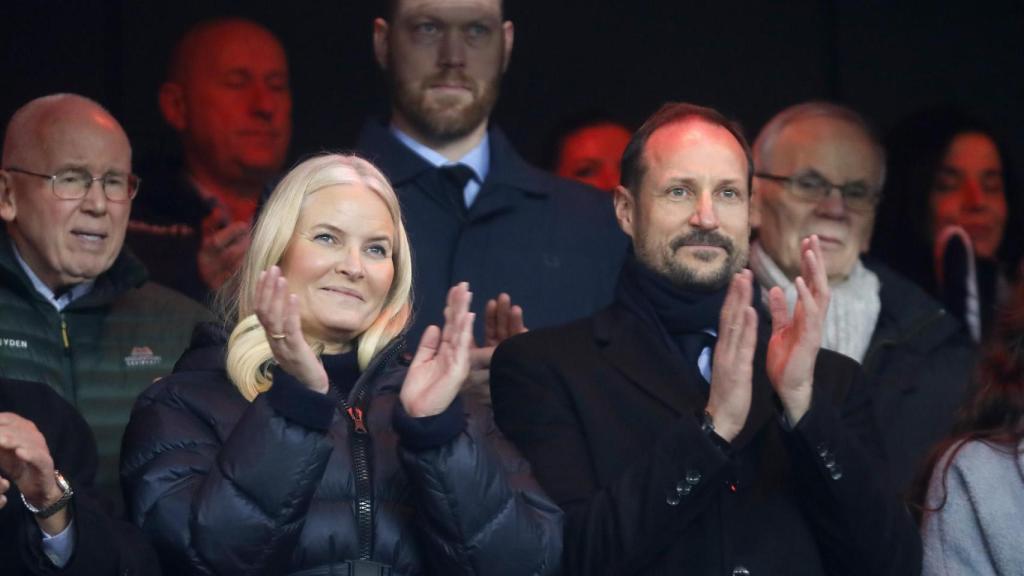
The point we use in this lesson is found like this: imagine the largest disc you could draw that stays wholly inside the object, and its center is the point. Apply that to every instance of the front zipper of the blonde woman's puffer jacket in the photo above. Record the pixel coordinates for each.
(356, 409)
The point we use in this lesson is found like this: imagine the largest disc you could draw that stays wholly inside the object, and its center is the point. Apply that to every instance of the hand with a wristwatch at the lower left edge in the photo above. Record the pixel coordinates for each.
(26, 462)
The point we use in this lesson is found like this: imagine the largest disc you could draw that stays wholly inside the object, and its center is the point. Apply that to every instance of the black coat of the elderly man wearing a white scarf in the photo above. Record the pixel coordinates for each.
(919, 363)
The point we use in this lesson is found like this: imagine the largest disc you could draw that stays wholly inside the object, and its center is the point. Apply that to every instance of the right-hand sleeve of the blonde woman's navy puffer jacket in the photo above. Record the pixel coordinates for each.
(480, 508)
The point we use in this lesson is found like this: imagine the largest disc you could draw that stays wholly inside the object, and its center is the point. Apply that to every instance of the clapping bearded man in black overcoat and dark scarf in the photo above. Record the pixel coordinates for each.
(682, 430)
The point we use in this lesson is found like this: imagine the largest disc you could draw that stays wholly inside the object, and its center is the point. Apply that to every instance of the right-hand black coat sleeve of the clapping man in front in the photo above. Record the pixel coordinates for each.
(861, 525)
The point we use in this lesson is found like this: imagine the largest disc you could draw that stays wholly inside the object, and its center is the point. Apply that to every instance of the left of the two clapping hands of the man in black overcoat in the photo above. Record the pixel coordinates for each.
(733, 372)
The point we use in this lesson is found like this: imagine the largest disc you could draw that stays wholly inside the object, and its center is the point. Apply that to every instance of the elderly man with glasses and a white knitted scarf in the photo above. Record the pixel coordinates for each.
(819, 170)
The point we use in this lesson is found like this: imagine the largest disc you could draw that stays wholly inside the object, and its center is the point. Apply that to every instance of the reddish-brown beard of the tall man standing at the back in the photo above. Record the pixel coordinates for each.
(442, 125)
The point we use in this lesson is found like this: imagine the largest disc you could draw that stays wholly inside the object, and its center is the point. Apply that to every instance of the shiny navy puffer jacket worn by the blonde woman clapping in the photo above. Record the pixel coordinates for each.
(277, 486)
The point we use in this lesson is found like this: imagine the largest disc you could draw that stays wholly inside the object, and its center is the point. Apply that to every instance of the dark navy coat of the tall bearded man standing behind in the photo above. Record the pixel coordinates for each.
(552, 244)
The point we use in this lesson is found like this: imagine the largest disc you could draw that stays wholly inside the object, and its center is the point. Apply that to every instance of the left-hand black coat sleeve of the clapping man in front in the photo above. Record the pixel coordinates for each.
(611, 530)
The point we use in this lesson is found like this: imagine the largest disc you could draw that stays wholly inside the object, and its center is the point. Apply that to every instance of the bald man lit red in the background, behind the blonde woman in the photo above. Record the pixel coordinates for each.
(228, 97)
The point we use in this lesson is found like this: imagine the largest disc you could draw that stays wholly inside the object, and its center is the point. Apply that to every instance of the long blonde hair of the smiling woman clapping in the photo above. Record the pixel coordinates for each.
(249, 356)
